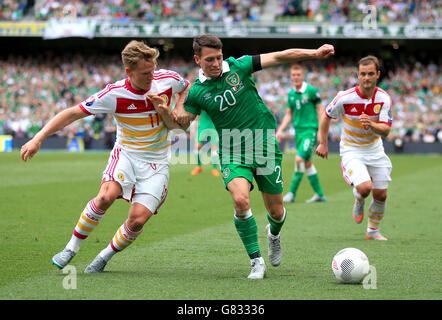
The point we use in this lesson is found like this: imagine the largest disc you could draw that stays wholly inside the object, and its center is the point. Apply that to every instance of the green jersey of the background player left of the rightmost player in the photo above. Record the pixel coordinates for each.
(303, 105)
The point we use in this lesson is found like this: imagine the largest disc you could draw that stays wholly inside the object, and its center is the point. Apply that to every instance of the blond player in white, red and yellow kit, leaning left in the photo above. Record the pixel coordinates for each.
(138, 166)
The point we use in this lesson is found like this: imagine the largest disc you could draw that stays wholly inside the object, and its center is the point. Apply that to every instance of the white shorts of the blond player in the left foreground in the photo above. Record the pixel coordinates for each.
(141, 182)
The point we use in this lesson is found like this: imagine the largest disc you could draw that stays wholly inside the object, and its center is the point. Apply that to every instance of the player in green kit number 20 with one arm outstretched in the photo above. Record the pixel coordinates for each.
(248, 148)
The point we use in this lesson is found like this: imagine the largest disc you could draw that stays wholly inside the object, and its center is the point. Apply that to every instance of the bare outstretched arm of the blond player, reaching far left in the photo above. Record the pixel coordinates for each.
(61, 120)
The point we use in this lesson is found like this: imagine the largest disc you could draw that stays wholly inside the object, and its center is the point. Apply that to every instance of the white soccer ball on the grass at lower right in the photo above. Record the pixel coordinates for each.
(350, 265)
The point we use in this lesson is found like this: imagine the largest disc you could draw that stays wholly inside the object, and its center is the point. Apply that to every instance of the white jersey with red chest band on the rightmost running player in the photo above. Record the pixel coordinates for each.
(349, 105)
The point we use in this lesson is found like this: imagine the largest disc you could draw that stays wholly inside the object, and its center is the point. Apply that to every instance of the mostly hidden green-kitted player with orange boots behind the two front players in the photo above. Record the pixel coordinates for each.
(206, 132)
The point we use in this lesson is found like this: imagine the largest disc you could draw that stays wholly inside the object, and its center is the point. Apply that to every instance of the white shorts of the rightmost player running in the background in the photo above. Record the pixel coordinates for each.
(356, 171)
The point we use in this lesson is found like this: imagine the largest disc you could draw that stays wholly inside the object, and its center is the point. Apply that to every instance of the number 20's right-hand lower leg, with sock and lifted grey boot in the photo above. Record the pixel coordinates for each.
(276, 217)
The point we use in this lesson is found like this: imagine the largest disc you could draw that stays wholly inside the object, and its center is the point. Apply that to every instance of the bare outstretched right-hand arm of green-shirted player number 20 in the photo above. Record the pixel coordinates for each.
(293, 55)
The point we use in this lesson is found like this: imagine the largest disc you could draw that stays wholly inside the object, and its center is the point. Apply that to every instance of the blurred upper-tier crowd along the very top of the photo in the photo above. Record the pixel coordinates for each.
(227, 11)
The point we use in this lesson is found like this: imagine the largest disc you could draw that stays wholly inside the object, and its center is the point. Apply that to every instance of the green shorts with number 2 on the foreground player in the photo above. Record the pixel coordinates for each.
(267, 176)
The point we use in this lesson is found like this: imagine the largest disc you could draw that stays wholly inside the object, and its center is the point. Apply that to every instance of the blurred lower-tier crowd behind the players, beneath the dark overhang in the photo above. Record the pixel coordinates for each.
(33, 89)
